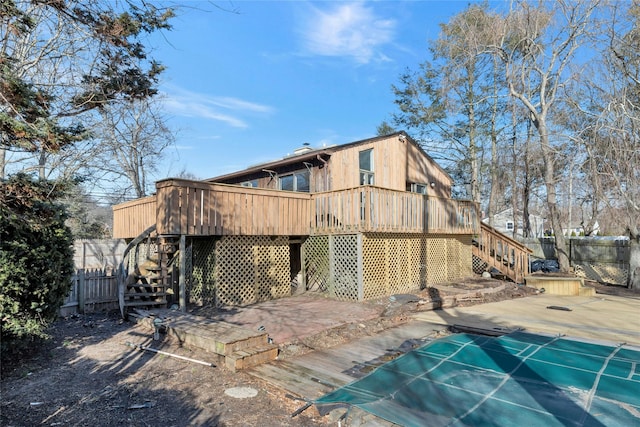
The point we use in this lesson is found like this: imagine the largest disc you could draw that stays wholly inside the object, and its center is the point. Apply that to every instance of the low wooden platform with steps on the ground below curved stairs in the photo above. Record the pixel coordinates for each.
(239, 347)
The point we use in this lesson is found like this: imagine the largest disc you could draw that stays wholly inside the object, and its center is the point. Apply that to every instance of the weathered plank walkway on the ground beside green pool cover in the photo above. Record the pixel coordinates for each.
(314, 374)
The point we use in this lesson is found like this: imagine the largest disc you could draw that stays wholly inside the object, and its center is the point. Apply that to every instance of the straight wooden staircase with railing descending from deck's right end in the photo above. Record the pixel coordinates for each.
(499, 251)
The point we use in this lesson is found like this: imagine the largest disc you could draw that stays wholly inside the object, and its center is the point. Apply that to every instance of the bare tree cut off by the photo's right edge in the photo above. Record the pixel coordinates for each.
(613, 144)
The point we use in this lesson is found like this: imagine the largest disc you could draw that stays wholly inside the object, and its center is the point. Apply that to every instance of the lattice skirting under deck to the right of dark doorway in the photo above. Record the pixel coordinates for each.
(362, 267)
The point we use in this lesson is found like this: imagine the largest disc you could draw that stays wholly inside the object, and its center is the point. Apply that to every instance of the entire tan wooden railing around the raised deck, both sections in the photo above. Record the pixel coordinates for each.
(197, 208)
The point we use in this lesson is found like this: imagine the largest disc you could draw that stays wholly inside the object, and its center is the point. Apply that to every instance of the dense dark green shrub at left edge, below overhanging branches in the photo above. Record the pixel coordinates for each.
(36, 257)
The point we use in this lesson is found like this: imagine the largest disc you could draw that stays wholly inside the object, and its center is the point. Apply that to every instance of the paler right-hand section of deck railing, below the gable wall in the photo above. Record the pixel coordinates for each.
(375, 209)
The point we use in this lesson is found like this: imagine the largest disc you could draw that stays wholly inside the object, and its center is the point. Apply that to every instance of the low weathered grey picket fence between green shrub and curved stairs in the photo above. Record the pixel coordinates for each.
(92, 290)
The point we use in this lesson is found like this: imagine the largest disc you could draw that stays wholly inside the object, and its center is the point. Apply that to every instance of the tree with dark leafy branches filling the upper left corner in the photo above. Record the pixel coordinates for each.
(62, 60)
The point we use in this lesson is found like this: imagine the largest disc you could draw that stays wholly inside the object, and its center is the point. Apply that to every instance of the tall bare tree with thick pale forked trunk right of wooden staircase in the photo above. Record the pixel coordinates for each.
(539, 45)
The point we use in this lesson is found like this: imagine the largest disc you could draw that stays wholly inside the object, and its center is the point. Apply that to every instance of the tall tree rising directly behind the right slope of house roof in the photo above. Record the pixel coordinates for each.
(453, 101)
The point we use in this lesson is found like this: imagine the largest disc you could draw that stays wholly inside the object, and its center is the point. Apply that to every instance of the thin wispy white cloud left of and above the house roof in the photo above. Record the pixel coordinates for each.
(228, 110)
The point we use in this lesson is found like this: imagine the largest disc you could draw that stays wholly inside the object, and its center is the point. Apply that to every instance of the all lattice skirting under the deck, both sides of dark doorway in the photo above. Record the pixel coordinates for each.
(241, 270)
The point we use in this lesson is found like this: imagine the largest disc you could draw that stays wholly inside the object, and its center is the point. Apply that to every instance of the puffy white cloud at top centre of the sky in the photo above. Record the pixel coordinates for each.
(351, 30)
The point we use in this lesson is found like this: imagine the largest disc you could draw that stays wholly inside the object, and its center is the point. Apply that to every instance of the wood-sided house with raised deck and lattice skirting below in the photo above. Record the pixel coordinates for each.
(356, 221)
